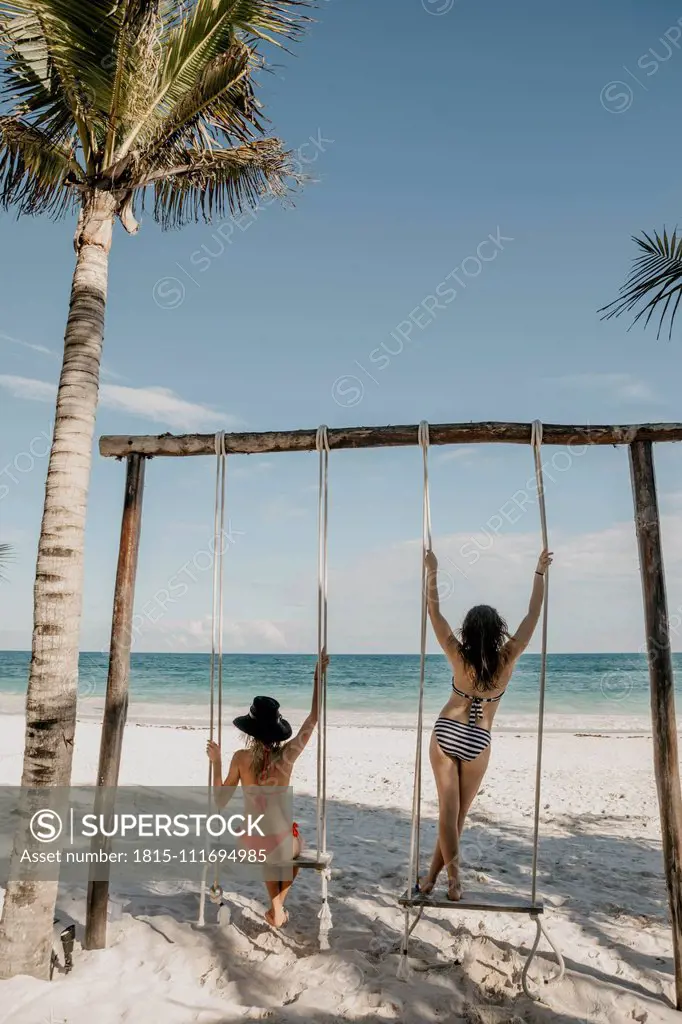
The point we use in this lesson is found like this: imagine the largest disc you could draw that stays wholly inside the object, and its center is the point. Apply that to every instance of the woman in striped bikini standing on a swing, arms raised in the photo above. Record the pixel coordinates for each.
(483, 658)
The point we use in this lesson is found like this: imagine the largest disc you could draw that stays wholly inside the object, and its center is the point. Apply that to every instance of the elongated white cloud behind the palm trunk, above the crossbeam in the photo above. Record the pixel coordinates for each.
(157, 404)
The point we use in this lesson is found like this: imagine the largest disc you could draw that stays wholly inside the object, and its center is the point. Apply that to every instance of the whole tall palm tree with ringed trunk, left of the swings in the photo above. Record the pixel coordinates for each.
(109, 105)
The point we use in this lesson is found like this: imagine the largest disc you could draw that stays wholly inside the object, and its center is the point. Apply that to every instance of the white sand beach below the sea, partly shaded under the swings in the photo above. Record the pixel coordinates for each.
(601, 876)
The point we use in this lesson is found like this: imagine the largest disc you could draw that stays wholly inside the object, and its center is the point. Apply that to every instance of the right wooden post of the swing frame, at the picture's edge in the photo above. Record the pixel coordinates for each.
(666, 761)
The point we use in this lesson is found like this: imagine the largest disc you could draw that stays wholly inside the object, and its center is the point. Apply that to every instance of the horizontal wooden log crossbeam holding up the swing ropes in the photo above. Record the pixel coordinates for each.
(179, 446)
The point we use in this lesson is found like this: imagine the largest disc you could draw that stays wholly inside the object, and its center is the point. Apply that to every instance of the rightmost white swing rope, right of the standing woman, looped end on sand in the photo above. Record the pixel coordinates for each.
(537, 441)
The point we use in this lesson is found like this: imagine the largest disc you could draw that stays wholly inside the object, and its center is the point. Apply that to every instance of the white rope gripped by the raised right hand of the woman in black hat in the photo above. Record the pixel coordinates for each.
(325, 916)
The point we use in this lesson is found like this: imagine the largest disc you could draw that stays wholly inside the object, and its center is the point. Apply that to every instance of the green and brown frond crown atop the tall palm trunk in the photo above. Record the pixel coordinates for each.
(111, 95)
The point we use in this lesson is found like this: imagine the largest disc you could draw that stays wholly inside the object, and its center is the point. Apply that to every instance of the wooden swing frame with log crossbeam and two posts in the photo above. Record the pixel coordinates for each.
(640, 439)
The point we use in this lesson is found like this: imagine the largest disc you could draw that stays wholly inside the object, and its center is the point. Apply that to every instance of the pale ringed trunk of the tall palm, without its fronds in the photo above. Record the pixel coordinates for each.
(26, 930)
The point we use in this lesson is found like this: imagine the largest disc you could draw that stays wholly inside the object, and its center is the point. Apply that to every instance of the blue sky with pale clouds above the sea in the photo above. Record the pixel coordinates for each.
(429, 130)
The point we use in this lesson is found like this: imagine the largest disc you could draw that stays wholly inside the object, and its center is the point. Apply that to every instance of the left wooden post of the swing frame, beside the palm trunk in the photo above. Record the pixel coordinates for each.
(116, 706)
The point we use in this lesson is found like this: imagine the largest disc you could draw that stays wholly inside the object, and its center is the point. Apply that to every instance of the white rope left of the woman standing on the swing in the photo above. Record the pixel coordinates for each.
(404, 966)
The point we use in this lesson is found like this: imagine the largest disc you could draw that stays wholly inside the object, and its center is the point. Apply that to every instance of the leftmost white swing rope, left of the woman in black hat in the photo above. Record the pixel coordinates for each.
(218, 619)
